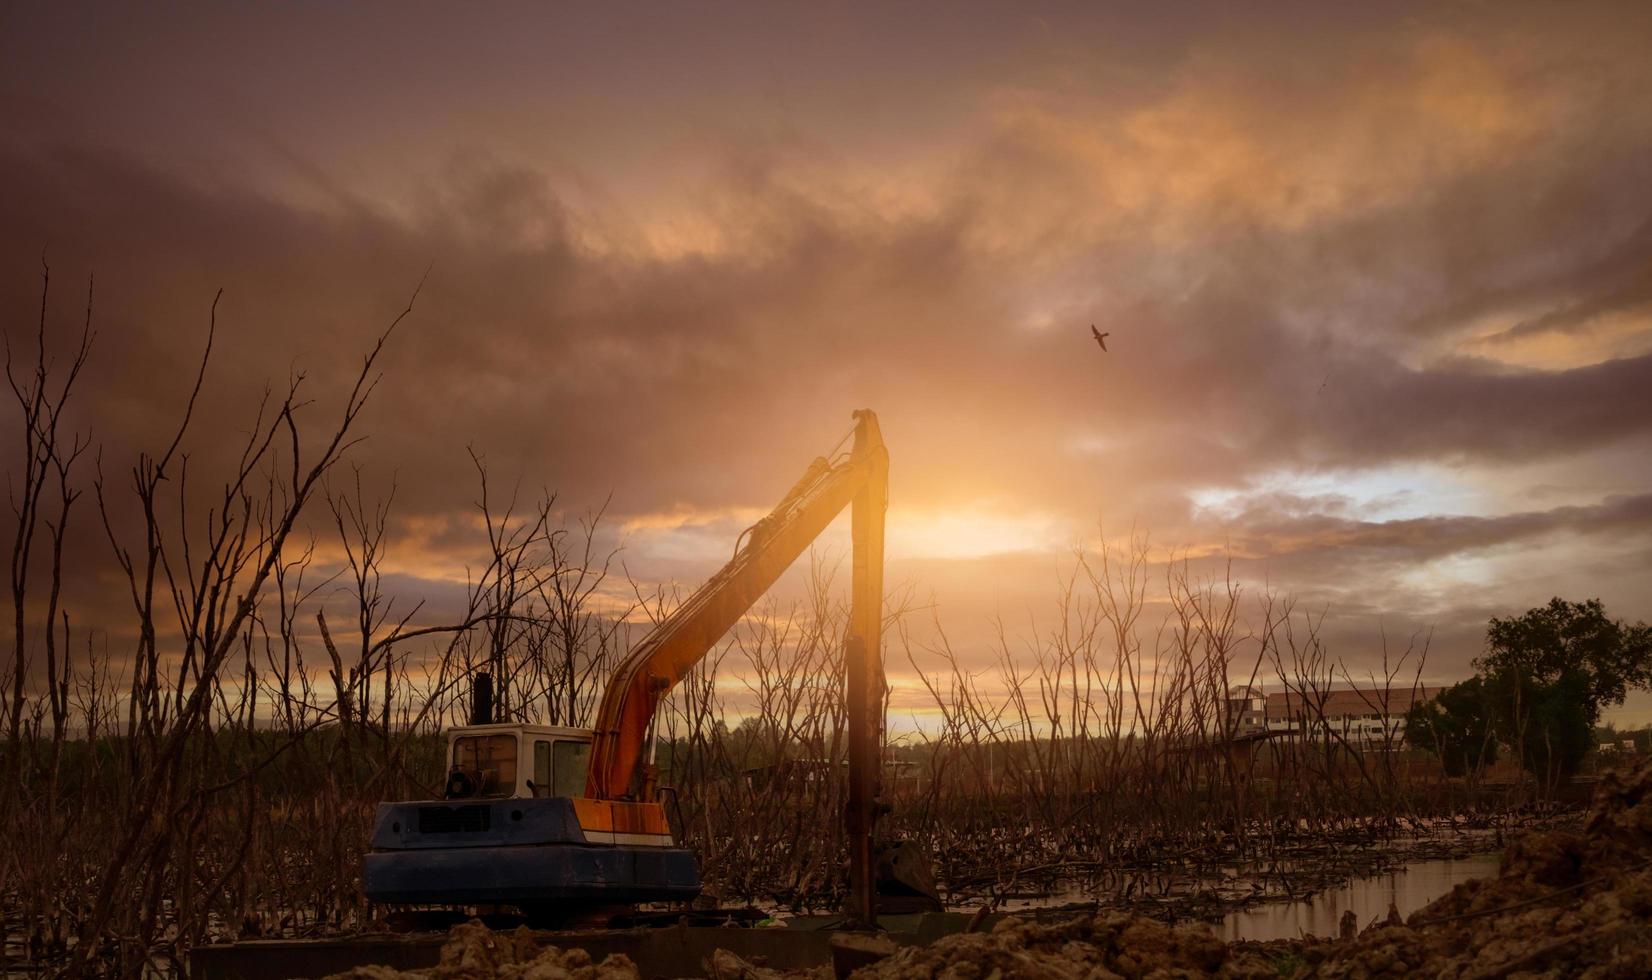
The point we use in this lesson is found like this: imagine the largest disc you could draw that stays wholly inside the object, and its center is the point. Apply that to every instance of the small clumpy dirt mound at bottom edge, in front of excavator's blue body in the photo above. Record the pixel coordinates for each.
(477, 953)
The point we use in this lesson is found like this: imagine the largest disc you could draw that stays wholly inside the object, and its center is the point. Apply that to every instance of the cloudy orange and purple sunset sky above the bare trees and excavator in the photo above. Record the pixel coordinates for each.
(1379, 278)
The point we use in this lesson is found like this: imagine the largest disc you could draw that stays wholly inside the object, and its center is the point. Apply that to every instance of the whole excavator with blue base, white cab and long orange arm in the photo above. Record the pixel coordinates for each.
(548, 817)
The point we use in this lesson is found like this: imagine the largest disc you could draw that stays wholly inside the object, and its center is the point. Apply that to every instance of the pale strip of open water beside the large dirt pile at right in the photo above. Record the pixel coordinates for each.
(1408, 888)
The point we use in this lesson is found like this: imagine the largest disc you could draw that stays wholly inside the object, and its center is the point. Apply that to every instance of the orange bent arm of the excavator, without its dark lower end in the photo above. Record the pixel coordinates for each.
(766, 551)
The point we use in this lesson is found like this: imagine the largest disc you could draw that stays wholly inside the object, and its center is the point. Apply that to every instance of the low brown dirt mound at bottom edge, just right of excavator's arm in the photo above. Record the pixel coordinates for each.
(1113, 944)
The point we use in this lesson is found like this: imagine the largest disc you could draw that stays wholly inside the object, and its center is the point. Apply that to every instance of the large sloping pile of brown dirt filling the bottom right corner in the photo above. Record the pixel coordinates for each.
(1565, 905)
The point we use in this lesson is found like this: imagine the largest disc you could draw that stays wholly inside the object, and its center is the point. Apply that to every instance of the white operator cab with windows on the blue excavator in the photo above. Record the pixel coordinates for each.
(516, 763)
